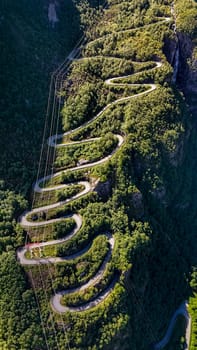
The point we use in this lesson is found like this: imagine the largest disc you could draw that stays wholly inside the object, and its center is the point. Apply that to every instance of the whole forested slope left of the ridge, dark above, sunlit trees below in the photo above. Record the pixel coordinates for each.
(31, 48)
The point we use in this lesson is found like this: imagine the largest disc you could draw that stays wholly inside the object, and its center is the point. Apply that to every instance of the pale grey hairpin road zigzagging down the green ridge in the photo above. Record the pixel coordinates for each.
(26, 223)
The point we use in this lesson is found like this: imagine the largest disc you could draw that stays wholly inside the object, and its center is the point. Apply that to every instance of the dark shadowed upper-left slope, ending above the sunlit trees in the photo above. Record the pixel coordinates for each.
(31, 48)
